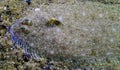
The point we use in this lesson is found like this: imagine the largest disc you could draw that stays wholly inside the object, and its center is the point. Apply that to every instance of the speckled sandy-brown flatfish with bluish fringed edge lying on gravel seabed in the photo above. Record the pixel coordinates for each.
(68, 33)
